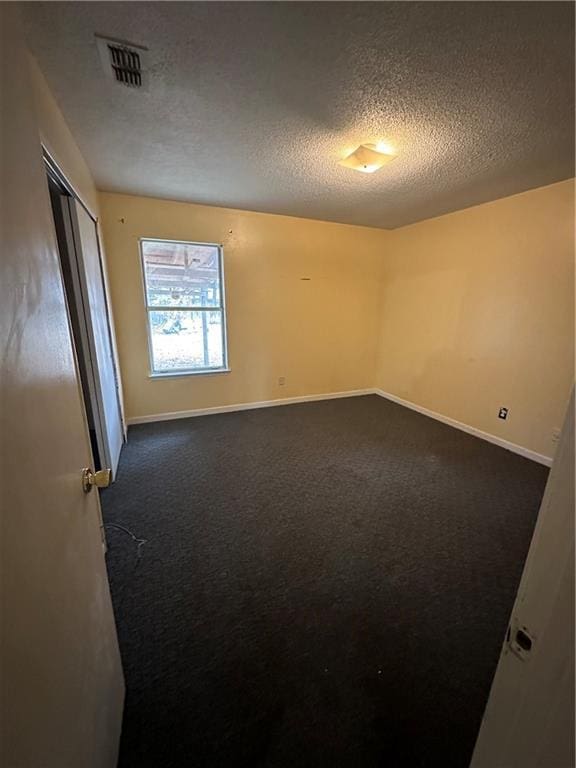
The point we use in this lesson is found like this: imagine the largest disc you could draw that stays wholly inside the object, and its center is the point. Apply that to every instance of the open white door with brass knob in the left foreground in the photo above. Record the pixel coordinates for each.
(62, 683)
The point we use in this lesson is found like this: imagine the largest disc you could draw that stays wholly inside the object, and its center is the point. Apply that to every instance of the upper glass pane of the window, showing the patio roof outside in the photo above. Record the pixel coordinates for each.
(181, 274)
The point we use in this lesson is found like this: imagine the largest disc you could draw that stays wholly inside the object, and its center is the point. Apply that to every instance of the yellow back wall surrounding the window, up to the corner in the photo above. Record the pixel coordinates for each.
(319, 334)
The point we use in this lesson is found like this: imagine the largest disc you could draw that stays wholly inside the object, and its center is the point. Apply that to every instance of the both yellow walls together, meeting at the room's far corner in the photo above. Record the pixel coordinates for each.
(460, 315)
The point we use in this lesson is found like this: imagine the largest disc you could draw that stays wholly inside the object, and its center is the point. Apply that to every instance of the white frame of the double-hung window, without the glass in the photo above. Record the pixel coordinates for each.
(224, 368)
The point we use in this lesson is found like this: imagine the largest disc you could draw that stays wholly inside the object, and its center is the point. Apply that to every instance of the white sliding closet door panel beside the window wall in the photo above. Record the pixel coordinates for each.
(110, 434)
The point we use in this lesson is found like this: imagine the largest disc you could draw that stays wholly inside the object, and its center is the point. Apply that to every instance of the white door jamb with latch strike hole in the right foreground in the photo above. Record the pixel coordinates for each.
(529, 718)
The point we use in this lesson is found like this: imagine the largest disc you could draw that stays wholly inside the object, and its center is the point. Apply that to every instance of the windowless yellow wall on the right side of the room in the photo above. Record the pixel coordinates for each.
(478, 313)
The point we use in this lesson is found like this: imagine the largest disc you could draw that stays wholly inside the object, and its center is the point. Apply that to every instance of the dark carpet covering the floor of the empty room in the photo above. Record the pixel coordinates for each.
(324, 584)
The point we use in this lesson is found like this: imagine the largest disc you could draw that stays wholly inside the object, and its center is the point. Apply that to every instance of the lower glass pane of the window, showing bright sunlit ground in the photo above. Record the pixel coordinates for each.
(186, 340)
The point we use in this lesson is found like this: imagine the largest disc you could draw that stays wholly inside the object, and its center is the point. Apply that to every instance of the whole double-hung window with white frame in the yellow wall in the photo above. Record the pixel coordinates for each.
(184, 293)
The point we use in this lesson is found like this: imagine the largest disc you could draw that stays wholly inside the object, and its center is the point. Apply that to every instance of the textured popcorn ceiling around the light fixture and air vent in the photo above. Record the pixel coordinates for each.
(251, 105)
